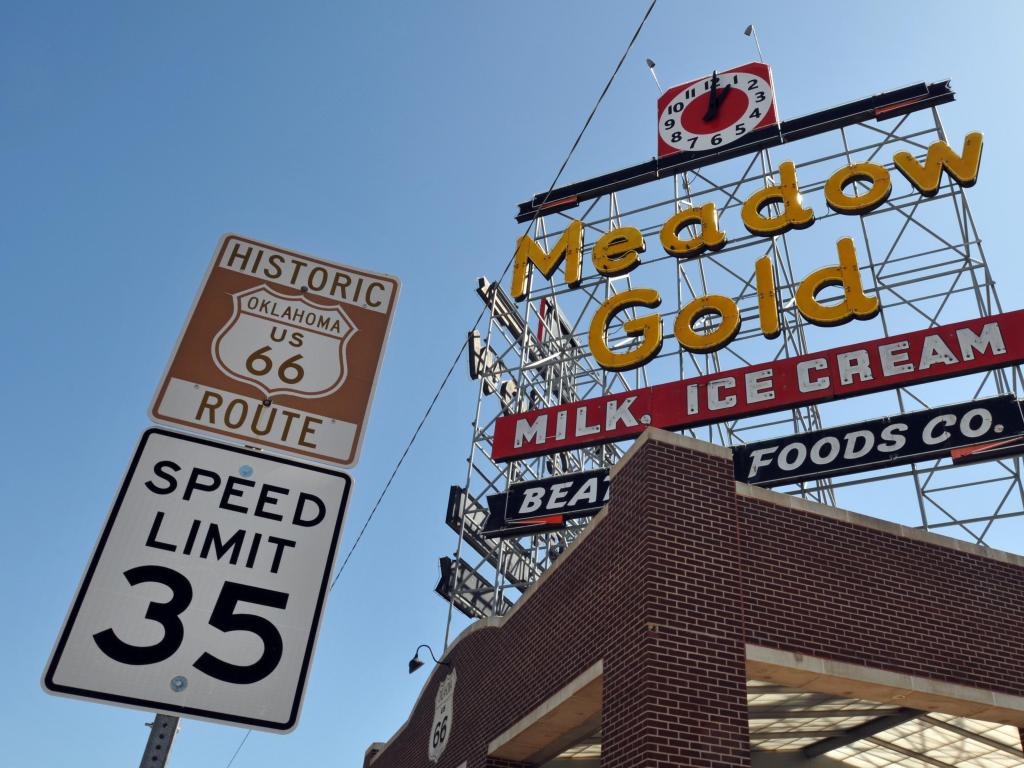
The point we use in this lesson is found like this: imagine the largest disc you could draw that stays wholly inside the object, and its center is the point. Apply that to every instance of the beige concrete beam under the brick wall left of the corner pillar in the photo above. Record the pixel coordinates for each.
(565, 718)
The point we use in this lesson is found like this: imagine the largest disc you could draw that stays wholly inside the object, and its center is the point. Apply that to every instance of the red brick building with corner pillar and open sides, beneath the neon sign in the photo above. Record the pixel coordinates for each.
(701, 622)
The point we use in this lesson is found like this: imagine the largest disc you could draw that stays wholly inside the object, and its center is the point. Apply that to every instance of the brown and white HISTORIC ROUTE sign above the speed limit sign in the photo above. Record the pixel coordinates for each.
(281, 350)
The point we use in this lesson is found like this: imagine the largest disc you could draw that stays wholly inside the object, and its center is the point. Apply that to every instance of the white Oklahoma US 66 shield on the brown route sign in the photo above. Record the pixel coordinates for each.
(284, 345)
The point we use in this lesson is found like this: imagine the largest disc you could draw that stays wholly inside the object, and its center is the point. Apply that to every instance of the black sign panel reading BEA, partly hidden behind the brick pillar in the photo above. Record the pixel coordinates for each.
(545, 505)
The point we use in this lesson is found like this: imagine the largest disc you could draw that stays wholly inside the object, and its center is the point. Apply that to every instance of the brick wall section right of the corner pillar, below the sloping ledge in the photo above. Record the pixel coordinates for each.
(865, 596)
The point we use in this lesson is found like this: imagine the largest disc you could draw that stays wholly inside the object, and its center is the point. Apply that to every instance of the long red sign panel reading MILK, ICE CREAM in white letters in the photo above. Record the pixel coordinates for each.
(859, 369)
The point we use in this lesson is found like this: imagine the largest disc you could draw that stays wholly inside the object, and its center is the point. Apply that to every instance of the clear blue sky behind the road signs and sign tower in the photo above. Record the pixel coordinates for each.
(397, 137)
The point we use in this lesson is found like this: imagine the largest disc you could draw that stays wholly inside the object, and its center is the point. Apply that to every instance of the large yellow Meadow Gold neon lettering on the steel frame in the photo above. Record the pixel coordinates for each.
(858, 189)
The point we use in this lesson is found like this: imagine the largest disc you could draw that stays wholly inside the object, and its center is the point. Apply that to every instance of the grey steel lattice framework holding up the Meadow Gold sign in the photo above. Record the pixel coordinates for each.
(922, 257)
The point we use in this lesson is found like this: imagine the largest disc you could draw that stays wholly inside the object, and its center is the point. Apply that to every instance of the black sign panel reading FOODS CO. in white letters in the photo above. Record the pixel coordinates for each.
(883, 443)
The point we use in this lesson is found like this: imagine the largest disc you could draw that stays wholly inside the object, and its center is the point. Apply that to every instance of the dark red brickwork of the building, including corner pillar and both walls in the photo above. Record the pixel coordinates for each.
(671, 583)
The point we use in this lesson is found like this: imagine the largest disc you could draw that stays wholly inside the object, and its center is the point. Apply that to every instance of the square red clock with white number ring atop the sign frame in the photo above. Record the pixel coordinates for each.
(715, 111)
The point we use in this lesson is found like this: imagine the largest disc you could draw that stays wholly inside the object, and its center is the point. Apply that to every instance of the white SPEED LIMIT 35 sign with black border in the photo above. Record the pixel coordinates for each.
(204, 594)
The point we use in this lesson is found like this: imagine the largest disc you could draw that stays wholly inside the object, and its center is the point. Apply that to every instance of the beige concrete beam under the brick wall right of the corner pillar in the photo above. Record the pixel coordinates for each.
(872, 685)
